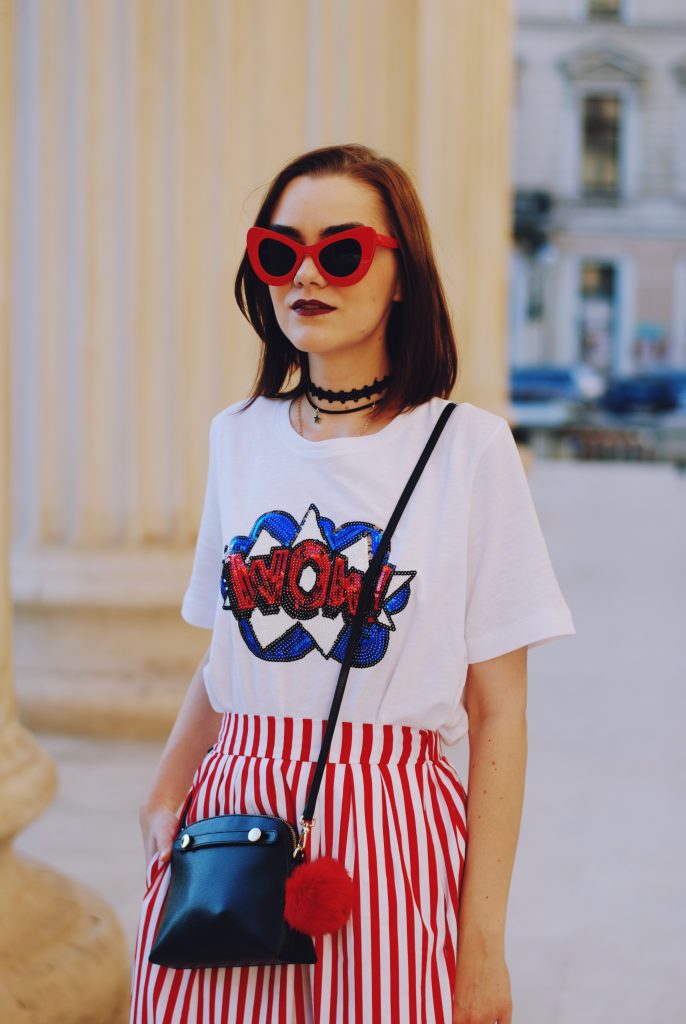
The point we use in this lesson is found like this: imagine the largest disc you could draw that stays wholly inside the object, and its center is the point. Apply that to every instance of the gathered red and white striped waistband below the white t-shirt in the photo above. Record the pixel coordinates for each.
(301, 740)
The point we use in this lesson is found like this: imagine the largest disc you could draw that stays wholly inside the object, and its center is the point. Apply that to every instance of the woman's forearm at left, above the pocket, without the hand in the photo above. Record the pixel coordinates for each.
(194, 733)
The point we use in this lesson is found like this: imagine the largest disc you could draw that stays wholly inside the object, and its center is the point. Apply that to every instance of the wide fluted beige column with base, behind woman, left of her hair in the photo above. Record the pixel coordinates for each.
(148, 131)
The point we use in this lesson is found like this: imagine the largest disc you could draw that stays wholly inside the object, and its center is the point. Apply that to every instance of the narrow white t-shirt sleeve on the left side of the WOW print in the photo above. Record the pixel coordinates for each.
(200, 602)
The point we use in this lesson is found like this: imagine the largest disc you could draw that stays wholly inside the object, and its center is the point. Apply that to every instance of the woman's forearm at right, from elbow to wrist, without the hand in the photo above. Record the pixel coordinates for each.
(498, 745)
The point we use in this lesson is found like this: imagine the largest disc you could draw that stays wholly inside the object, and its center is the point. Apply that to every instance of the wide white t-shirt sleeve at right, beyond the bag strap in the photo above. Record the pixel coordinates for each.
(513, 596)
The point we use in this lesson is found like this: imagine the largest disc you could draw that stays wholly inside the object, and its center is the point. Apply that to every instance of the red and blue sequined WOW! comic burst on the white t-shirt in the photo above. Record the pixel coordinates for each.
(293, 588)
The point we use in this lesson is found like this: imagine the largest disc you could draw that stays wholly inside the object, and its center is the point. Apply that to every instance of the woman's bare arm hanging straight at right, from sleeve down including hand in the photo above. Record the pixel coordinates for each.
(496, 703)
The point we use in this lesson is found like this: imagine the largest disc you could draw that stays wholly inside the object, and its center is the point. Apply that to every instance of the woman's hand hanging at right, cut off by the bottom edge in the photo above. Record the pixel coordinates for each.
(483, 993)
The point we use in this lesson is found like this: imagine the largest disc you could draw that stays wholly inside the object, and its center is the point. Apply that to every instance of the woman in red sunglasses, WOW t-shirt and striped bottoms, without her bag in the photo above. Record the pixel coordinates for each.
(358, 360)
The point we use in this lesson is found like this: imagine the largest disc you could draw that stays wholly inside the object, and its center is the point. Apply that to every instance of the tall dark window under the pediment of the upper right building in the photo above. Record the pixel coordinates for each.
(601, 162)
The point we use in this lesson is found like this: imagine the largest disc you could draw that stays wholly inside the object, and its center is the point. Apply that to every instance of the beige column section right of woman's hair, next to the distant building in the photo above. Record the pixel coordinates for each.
(464, 82)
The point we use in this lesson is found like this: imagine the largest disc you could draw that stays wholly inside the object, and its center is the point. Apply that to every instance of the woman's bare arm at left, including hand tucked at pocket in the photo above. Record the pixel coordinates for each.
(195, 731)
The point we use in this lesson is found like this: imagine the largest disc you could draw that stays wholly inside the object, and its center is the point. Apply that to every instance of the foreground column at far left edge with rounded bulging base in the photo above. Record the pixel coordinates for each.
(63, 957)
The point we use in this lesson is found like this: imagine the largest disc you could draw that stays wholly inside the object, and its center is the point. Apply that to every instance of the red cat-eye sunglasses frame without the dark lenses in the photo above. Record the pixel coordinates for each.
(368, 238)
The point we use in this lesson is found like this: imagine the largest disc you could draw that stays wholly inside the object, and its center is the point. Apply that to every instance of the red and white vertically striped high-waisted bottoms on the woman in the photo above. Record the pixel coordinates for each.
(393, 808)
